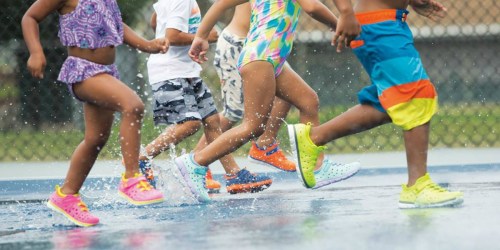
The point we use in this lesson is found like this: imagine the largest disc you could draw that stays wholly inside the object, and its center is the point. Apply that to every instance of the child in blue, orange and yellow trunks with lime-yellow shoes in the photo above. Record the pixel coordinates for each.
(401, 93)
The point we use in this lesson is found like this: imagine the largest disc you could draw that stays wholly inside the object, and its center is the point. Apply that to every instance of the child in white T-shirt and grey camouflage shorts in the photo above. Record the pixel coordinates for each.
(181, 98)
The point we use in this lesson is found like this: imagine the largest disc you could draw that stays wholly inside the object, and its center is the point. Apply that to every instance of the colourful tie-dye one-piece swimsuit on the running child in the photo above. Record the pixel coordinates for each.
(272, 29)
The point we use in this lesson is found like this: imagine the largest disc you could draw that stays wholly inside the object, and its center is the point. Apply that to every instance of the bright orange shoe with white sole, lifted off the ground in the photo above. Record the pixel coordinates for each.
(272, 156)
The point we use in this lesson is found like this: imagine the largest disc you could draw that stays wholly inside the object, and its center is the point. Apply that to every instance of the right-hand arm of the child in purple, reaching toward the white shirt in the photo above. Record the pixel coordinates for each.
(135, 41)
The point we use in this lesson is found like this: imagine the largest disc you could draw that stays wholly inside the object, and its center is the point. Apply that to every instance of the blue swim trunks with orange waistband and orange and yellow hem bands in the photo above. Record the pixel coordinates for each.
(400, 85)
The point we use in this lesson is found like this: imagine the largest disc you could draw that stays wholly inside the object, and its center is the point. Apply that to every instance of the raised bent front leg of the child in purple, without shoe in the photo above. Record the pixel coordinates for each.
(105, 91)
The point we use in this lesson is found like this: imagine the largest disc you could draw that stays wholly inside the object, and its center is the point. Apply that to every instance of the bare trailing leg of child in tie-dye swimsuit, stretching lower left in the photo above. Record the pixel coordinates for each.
(259, 85)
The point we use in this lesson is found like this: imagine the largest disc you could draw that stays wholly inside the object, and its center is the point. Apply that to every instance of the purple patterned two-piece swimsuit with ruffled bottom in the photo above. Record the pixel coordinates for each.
(93, 24)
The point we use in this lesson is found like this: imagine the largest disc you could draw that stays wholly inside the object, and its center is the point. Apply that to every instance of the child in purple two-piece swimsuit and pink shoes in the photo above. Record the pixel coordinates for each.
(91, 30)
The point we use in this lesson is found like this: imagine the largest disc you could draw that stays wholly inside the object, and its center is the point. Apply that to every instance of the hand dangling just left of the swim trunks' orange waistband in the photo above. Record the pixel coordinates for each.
(348, 29)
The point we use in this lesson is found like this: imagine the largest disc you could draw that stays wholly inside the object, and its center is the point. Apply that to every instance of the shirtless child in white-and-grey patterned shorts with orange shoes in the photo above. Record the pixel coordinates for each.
(265, 150)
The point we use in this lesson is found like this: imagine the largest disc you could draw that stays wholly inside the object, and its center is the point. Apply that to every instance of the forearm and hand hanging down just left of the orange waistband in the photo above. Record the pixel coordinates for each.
(348, 27)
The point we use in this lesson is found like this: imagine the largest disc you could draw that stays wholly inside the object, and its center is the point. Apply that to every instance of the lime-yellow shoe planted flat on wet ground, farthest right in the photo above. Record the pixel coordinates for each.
(427, 194)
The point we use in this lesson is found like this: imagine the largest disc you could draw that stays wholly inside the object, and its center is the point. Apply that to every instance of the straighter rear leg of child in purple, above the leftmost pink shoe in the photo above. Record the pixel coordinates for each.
(98, 121)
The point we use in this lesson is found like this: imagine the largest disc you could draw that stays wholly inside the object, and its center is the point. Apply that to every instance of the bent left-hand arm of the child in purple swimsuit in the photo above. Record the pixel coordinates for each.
(33, 16)
